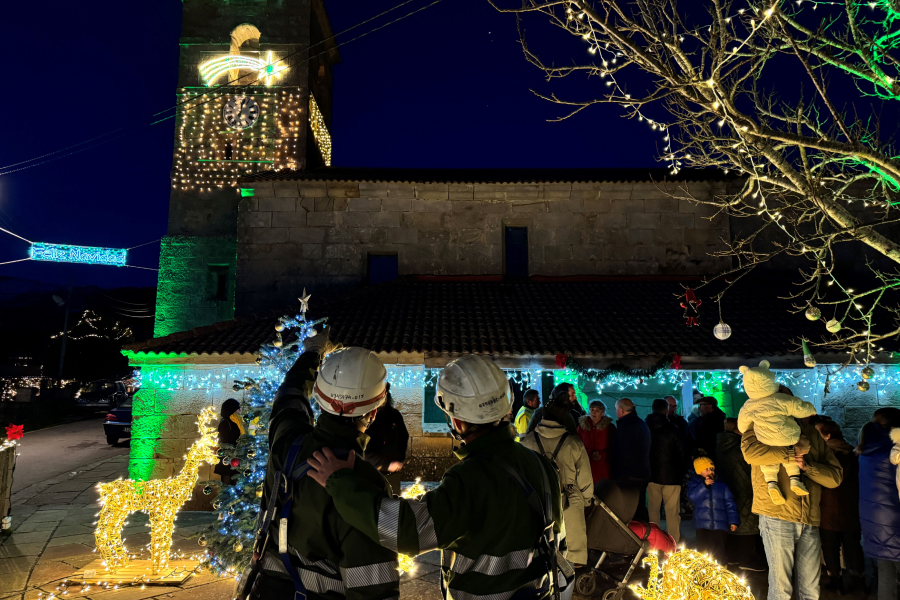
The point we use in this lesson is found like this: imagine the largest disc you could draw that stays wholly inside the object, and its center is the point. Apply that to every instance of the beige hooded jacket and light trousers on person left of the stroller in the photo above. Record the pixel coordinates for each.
(575, 480)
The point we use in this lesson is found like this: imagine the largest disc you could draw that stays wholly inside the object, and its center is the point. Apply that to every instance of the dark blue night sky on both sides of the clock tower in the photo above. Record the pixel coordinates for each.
(447, 87)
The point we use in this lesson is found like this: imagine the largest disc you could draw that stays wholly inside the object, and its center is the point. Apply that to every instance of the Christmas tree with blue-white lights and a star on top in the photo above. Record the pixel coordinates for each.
(229, 541)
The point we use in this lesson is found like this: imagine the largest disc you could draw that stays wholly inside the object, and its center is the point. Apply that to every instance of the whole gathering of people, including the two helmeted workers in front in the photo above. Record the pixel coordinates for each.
(778, 477)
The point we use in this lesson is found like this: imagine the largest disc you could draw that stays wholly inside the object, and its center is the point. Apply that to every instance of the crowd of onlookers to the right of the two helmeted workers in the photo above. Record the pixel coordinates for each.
(785, 508)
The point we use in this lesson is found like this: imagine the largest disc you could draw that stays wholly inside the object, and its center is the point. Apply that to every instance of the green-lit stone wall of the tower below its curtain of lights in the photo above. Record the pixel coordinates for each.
(183, 299)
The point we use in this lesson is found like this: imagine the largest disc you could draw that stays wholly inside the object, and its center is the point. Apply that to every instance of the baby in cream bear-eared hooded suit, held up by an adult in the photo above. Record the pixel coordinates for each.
(772, 416)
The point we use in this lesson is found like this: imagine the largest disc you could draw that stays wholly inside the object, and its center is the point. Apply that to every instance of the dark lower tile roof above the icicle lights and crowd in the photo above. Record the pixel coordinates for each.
(601, 318)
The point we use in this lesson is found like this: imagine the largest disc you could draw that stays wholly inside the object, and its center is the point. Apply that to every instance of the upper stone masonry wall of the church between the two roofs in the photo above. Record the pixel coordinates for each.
(318, 234)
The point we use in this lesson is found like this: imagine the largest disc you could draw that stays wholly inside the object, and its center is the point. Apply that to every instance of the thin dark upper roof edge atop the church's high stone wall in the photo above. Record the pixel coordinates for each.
(463, 176)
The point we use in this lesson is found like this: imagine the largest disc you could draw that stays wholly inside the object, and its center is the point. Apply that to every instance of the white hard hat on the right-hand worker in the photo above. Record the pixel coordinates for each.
(473, 389)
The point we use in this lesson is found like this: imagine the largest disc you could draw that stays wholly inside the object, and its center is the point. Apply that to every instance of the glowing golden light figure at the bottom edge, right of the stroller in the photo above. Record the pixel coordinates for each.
(690, 574)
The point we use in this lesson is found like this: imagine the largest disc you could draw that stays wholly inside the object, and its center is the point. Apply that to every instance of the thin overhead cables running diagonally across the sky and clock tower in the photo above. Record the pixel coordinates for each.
(221, 90)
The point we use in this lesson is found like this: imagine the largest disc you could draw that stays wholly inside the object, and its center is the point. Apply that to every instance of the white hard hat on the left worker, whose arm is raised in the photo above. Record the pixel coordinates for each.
(351, 382)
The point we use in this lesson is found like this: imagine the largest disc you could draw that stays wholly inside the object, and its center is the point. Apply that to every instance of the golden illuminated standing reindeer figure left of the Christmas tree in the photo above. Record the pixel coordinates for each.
(160, 498)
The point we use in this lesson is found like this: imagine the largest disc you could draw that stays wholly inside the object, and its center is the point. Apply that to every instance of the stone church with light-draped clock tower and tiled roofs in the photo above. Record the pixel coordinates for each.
(422, 265)
